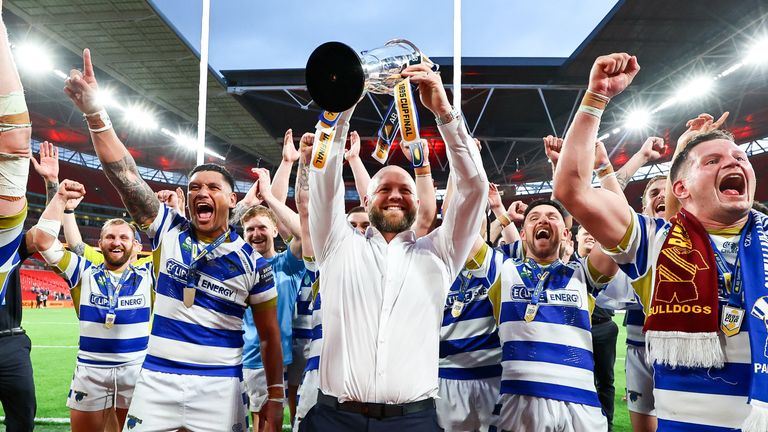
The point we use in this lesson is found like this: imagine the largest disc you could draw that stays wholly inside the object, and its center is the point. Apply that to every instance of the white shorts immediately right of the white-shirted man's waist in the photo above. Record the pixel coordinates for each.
(466, 405)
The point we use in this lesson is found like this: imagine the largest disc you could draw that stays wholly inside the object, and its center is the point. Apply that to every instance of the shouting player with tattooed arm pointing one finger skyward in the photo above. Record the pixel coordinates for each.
(207, 278)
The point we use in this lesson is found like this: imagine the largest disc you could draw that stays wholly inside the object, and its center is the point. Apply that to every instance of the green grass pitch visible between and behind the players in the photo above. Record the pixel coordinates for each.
(54, 334)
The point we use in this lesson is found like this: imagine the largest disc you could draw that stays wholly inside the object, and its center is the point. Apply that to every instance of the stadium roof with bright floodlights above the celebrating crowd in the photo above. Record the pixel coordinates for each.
(509, 103)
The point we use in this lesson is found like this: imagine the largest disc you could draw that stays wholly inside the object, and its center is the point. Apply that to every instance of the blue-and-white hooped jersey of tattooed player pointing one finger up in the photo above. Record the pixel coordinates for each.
(206, 338)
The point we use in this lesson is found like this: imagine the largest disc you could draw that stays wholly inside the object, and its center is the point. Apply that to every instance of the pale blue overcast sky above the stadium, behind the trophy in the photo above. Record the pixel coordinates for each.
(251, 34)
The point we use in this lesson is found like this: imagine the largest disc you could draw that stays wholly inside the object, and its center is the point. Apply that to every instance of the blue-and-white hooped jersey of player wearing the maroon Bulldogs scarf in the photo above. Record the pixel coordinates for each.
(689, 399)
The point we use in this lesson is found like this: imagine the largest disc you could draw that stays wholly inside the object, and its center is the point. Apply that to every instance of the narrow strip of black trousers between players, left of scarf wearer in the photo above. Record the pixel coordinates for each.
(604, 337)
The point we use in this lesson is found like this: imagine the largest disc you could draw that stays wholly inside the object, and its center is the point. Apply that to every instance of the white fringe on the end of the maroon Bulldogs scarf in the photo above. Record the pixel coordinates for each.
(676, 348)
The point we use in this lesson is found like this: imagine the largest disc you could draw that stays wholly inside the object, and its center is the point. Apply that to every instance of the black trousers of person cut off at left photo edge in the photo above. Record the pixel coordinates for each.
(17, 389)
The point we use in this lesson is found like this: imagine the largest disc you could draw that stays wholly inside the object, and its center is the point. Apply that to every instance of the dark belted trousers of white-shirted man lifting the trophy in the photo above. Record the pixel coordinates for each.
(322, 418)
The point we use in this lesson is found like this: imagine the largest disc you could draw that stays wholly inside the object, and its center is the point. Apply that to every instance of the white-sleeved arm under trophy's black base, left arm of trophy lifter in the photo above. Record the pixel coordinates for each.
(327, 216)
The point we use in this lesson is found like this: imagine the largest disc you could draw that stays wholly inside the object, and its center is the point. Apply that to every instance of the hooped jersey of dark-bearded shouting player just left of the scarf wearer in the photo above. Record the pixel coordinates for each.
(551, 356)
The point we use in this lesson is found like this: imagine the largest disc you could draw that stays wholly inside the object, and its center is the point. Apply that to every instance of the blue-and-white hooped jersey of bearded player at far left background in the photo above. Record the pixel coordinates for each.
(126, 341)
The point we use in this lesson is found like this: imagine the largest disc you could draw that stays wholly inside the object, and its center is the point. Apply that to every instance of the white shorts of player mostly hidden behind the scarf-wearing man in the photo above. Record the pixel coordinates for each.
(639, 381)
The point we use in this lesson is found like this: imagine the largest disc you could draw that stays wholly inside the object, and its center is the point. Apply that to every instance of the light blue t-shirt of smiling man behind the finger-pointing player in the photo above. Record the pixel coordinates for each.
(288, 271)
